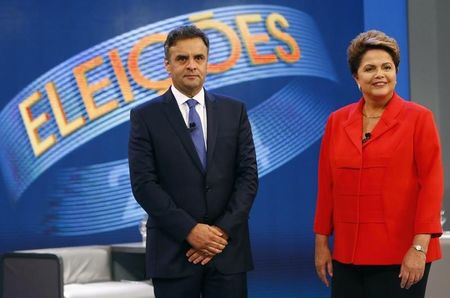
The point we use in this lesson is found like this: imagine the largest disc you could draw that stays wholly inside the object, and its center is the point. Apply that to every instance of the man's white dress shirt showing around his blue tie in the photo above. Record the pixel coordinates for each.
(184, 108)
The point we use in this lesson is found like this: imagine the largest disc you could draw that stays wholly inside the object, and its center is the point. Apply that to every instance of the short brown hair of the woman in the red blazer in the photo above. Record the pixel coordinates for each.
(369, 40)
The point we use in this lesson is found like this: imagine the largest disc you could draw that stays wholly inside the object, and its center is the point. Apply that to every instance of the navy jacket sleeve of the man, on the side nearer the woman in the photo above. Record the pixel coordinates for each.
(246, 181)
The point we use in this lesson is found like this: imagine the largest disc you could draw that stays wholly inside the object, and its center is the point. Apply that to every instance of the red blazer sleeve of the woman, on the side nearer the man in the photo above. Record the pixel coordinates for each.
(323, 221)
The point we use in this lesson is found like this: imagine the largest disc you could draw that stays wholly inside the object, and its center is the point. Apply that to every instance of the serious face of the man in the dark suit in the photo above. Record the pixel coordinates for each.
(187, 65)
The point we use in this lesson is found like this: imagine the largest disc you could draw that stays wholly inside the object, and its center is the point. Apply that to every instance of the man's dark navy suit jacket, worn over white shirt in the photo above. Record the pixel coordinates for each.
(169, 183)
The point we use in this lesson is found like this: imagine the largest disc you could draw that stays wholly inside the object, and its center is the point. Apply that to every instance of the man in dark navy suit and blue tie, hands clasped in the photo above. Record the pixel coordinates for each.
(193, 170)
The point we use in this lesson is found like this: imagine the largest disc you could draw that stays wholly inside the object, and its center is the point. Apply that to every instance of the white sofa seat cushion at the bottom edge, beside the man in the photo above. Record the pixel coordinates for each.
(112, 289)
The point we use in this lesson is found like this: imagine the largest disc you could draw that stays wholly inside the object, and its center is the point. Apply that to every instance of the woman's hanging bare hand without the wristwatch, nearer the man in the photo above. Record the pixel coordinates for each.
(323, 259)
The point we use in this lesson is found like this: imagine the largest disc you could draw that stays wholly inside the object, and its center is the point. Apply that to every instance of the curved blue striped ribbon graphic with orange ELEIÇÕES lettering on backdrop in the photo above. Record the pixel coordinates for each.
(284, 124)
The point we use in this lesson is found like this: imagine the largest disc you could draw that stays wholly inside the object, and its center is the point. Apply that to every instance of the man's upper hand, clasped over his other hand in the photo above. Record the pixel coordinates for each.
(206, 239)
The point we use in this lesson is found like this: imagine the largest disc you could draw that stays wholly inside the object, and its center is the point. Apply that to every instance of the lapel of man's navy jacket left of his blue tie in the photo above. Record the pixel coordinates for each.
(177, 122)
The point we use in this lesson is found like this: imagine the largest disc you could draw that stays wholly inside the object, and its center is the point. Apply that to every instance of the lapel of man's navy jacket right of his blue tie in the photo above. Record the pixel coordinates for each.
(211, 111)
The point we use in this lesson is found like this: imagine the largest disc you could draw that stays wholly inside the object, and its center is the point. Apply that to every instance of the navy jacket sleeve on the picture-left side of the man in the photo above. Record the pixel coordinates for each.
(146, 187)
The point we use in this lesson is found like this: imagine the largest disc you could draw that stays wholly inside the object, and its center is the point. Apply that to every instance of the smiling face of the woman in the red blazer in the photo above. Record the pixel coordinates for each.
(376, 75)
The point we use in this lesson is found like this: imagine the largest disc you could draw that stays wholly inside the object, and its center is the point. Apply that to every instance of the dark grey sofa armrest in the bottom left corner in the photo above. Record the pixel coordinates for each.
(24, 275)
